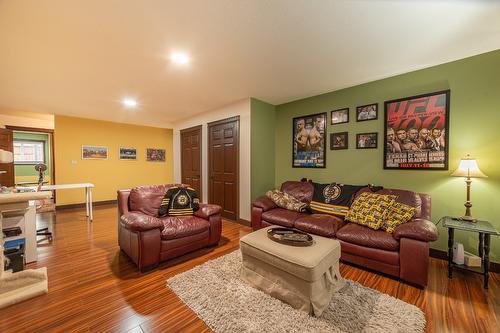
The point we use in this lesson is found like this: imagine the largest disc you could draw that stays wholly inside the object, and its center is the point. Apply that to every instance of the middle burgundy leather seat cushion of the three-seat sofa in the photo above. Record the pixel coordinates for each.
(319, 224)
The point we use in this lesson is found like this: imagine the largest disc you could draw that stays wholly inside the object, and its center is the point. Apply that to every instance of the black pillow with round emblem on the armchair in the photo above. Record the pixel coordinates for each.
(179, 201)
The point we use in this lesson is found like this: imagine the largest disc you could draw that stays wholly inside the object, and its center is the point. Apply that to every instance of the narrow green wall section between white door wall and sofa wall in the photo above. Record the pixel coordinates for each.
(262, 124)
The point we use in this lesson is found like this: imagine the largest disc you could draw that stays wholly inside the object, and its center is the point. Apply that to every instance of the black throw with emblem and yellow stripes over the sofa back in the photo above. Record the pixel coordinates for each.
(335, 199)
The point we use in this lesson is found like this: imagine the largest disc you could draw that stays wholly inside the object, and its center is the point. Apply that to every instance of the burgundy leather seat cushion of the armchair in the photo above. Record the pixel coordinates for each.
(182, 226)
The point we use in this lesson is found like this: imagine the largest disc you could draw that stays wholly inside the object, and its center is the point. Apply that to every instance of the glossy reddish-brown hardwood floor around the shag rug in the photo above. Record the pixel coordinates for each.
(93, 287)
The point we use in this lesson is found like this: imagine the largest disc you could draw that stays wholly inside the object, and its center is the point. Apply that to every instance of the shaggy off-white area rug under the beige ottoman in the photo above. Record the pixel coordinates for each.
(215, 292)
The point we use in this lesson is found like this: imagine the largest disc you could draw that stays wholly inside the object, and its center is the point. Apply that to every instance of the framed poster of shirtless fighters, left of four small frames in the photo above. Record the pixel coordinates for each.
(309, 141)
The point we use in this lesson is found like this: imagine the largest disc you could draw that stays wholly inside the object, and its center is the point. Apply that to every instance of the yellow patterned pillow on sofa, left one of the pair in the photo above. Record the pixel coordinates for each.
(370, 209)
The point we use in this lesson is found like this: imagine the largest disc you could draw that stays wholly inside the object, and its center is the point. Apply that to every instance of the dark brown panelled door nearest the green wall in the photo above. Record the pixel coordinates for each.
(223, 165)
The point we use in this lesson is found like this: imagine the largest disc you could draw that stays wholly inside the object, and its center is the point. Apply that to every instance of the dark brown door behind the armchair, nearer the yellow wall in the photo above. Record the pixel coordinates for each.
(191, 158)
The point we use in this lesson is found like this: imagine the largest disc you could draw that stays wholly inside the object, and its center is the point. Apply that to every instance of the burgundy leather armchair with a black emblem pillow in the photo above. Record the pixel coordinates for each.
(148, 239)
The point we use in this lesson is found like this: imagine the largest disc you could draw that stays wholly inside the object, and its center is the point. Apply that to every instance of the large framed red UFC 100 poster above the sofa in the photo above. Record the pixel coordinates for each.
(417, 132)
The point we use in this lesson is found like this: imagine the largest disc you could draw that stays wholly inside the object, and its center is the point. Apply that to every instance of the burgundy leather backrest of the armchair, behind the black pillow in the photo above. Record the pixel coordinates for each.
(147, 199)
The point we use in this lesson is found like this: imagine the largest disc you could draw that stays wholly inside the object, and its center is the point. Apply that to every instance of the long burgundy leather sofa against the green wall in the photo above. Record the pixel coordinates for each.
(403, 254)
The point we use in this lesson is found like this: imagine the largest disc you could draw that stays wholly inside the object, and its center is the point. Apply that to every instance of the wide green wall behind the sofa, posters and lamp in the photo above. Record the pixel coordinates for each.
(474, 128)
